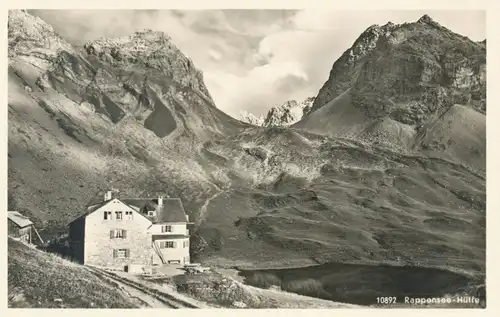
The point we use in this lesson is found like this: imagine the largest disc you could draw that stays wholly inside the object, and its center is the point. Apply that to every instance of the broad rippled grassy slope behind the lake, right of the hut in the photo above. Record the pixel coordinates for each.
(344, 201)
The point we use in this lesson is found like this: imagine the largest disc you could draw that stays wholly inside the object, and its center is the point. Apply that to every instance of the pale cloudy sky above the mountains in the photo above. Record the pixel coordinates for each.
(254, 59)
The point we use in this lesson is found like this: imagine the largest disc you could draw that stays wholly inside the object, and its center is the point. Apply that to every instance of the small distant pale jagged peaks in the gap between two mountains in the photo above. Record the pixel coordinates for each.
(282, 115)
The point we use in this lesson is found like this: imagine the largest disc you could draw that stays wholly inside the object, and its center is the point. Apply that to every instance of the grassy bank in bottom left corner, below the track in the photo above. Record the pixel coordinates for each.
(41, 280)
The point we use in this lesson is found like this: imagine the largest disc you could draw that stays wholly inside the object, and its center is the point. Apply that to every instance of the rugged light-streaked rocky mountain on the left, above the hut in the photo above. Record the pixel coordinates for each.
(142, 76)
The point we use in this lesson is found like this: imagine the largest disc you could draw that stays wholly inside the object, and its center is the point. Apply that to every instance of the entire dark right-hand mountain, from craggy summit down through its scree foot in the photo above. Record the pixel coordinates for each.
(396, 81)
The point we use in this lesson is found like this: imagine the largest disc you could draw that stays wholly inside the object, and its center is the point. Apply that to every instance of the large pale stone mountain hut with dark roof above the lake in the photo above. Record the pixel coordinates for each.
(117, 233)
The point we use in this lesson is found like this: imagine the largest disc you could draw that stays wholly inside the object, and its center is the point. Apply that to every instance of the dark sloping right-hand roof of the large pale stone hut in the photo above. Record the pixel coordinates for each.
(172, 210)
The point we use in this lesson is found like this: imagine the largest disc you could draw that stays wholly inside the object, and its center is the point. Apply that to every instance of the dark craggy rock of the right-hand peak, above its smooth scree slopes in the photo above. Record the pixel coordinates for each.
(394, 69)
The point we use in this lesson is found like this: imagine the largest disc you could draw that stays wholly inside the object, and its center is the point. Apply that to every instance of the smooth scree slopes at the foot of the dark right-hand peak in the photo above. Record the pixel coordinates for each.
(458, 135)
